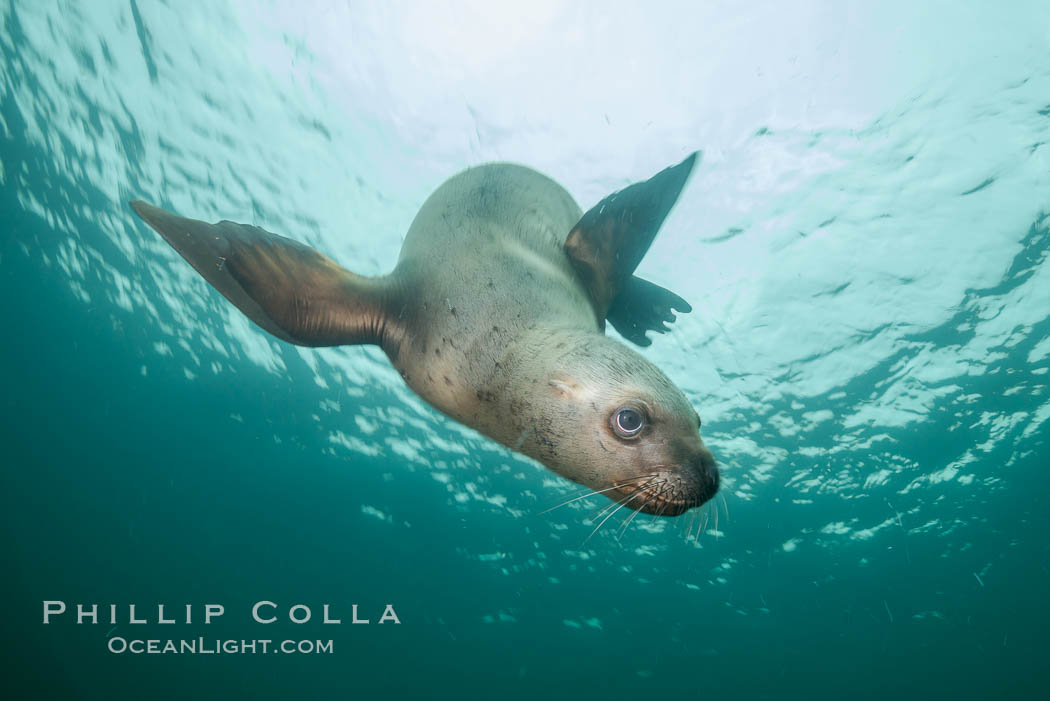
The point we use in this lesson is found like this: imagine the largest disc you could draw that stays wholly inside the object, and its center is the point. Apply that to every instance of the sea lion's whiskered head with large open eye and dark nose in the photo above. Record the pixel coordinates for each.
(601, 415)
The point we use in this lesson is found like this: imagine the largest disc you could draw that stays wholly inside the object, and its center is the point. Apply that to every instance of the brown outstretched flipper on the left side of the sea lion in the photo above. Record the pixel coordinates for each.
(288, 289)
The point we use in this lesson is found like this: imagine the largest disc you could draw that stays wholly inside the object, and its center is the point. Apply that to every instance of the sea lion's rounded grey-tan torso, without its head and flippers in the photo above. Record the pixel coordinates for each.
(490, 230)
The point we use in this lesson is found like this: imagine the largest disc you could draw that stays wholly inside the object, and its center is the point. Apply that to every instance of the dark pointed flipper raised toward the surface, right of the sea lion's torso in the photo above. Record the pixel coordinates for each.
(610, 241)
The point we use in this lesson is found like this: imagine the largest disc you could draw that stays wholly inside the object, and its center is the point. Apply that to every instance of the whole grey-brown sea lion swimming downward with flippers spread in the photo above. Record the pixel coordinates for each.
(495, 314)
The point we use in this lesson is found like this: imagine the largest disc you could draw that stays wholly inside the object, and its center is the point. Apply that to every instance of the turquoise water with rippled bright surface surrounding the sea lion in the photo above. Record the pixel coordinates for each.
(865, 246)
